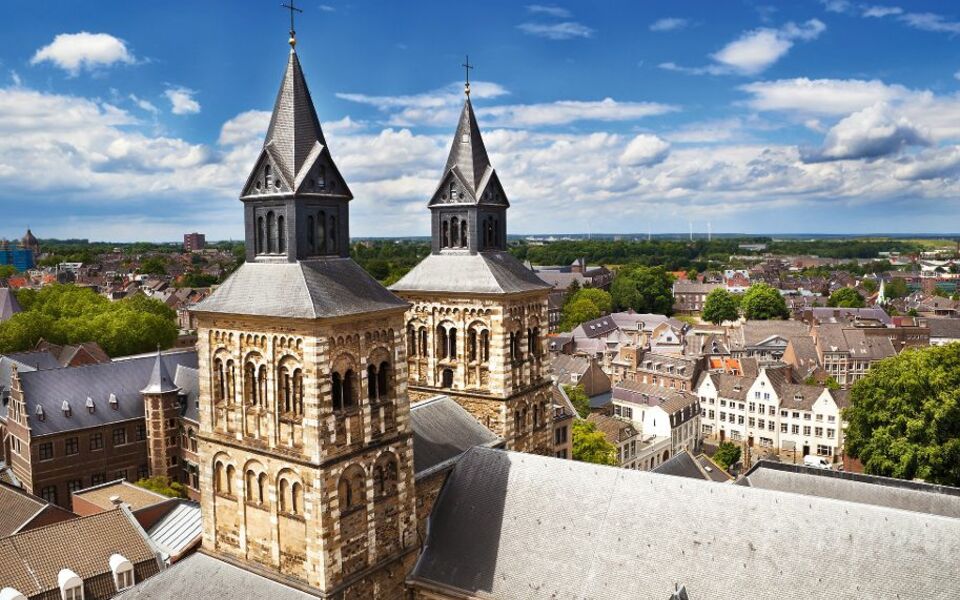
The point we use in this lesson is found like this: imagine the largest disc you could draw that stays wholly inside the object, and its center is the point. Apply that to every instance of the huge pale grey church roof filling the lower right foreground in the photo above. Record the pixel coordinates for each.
(520, 526)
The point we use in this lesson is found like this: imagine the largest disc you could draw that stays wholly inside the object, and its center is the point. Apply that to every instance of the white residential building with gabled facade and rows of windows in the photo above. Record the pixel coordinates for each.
(769, 411)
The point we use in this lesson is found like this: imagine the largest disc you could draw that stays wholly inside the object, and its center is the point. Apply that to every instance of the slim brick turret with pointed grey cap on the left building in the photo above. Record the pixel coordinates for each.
(160, 400)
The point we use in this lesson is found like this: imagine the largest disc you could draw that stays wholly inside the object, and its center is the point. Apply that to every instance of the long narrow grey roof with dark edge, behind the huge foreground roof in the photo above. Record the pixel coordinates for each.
(855, 487)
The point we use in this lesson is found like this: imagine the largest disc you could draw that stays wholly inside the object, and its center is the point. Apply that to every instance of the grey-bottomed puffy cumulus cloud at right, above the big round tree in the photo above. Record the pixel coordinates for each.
(870, 133)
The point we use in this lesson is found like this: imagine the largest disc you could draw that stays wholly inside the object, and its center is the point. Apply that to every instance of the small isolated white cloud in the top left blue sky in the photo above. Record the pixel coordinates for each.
(74, 52)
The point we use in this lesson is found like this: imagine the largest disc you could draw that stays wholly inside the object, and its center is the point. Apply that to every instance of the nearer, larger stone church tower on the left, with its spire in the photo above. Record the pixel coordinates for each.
(305, 441)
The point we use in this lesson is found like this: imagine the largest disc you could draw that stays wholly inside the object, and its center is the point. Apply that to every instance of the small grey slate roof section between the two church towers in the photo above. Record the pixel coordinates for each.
(442, 431)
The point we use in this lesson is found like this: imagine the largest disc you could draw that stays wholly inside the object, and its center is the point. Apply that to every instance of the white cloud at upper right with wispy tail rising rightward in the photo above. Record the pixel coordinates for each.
(757, 50)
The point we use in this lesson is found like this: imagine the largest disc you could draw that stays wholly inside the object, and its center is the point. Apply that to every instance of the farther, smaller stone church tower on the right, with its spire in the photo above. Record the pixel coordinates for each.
(479, 317)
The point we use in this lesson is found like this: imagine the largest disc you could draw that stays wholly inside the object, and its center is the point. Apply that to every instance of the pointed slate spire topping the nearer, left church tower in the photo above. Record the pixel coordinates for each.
(294, 127)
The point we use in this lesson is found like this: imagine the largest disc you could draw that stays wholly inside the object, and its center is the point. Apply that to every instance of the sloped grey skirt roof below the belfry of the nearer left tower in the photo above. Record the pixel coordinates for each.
(326, 287)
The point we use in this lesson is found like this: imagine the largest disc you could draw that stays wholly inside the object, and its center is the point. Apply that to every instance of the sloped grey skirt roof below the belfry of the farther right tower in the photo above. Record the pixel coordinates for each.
(481, 273)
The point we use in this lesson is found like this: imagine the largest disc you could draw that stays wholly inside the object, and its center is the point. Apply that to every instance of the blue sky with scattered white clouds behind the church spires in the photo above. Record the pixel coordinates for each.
(129, 121)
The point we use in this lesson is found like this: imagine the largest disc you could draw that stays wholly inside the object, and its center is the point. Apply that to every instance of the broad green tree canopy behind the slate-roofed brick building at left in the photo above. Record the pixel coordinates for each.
(67, 314)
